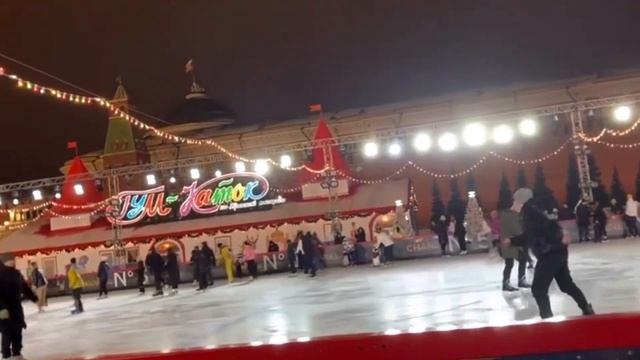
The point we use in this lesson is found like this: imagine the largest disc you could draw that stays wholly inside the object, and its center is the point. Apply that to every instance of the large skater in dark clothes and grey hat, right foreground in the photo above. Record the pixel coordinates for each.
(550, 246)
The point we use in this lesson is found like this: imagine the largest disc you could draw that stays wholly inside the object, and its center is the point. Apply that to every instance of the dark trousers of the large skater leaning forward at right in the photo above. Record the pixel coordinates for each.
(549, 267)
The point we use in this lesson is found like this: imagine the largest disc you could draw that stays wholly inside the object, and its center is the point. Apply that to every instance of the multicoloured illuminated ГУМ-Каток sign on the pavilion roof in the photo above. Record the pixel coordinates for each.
(223, 194)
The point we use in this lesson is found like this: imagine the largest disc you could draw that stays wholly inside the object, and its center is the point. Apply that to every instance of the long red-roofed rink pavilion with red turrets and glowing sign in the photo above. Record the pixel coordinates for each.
(226, 209)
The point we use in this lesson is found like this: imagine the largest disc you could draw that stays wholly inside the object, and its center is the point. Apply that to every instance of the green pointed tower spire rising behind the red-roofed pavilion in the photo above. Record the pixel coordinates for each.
(123, 145)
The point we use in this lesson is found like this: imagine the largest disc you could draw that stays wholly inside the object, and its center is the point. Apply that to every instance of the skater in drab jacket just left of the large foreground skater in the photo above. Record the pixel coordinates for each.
(510, 228)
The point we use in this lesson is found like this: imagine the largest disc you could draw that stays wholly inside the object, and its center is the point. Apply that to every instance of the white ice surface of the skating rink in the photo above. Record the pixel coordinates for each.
(417, 295)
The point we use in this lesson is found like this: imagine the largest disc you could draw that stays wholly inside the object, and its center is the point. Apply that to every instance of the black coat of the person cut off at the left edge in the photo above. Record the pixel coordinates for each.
(12, 288)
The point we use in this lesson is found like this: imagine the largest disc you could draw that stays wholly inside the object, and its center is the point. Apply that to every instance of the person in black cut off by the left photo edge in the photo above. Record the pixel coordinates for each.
(12, 288)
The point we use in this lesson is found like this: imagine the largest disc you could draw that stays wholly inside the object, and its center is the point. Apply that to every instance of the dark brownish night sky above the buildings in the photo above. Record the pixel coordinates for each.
(268, 59)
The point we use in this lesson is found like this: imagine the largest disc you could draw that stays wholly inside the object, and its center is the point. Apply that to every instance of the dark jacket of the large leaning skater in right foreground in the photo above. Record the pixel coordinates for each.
(542, 235)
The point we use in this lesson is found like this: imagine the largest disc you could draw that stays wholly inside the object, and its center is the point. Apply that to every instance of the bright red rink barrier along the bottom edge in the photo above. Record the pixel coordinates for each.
(586, 333)
